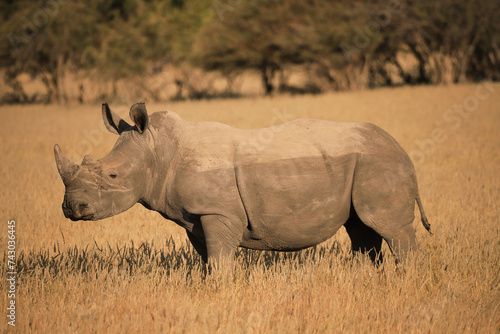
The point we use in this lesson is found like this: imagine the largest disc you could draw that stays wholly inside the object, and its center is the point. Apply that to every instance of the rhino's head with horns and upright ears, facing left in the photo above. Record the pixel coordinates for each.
(97, 189)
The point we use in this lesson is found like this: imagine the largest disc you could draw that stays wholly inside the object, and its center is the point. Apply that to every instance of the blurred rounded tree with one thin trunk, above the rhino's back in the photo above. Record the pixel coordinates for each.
(258, 35)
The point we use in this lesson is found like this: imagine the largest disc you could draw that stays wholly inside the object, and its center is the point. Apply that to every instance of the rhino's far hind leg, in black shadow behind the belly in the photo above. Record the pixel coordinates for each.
(364, 240)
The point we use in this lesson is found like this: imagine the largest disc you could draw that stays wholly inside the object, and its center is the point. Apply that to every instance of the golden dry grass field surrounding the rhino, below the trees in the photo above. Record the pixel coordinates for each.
(136, 272)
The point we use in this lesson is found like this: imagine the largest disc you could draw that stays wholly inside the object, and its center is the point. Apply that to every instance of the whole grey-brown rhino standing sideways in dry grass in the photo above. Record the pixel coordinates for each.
(290, 191)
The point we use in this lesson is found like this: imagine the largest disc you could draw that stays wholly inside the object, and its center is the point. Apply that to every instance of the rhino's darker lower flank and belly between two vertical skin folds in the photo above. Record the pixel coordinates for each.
(294, 203)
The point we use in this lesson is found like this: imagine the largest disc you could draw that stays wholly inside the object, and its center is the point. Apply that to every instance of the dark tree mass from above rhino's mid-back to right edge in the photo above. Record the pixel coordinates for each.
(356, 41)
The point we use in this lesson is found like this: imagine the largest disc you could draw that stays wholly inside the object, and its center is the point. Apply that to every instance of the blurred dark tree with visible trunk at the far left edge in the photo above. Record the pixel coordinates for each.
(43, 39)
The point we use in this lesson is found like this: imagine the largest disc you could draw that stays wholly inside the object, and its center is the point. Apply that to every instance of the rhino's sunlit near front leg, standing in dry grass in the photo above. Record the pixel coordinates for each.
(222, 238)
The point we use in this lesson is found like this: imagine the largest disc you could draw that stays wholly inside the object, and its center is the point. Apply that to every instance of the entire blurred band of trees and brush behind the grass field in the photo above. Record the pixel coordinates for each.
(95, 50)
